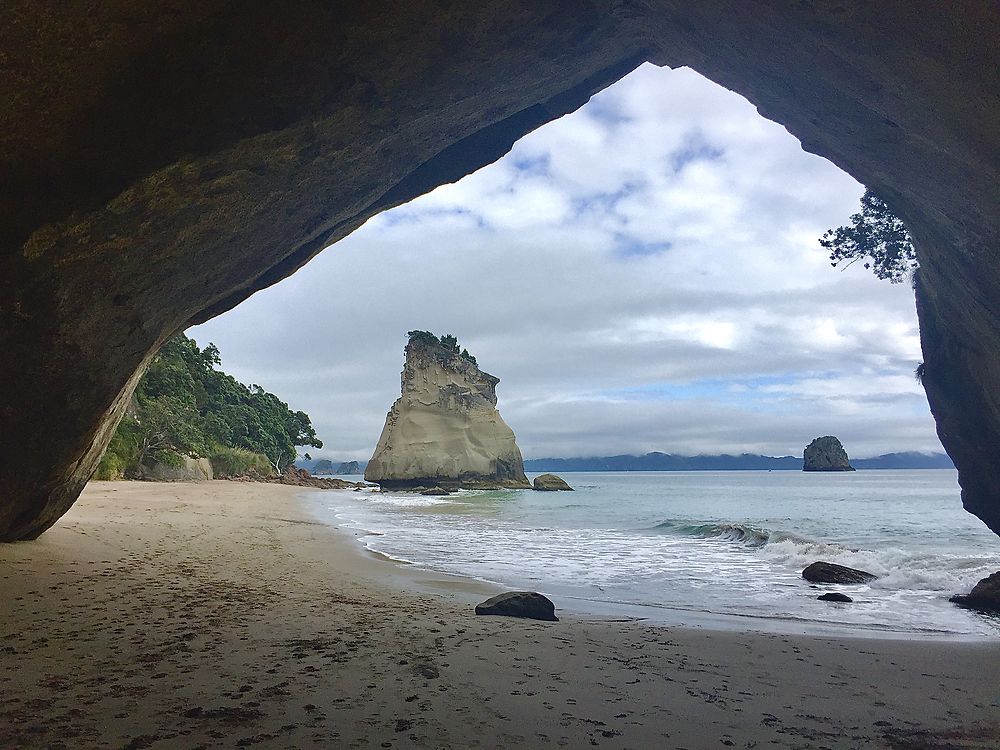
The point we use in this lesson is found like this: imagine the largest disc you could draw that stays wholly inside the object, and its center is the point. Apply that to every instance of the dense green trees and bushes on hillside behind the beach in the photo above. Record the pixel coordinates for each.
(183, 406)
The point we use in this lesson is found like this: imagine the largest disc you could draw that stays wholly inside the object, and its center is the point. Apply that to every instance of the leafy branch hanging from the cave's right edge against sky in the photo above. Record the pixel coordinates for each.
(877, 237)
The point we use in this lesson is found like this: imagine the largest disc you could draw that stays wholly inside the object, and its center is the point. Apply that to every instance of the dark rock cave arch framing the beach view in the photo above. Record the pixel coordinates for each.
(162, 161)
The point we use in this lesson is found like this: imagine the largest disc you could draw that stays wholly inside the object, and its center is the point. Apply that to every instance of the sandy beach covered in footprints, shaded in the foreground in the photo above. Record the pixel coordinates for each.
(222, 614)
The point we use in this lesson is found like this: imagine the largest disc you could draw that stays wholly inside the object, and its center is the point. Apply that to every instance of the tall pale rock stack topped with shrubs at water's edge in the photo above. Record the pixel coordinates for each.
(445, 429)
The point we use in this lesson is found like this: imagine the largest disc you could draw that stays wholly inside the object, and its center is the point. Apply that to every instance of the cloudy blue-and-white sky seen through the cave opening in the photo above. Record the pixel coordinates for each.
(642, 274)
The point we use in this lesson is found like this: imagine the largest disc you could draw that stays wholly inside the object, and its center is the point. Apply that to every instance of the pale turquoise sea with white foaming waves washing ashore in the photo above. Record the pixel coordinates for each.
(716, 549)
